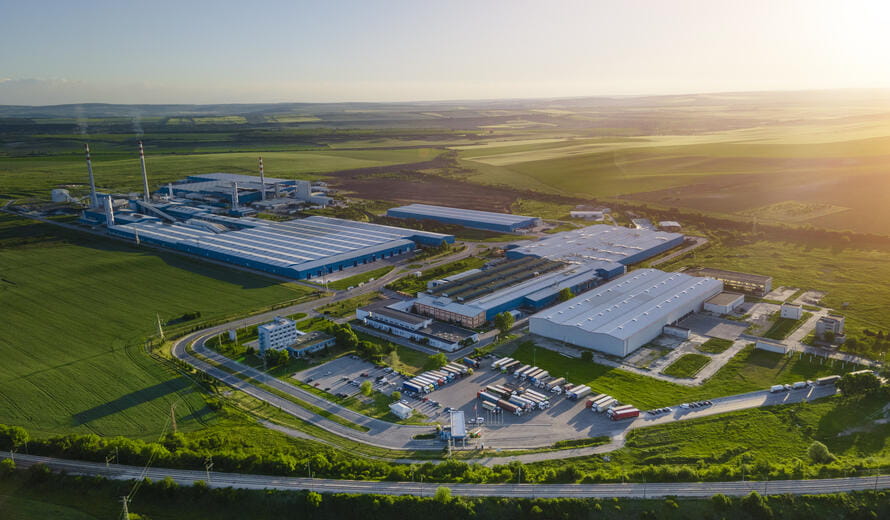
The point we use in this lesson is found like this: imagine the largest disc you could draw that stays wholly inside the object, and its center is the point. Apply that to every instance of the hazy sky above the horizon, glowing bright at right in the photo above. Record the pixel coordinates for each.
(227, 51)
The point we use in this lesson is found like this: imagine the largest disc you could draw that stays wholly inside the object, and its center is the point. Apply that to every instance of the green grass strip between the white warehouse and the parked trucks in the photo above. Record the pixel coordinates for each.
(748, 371)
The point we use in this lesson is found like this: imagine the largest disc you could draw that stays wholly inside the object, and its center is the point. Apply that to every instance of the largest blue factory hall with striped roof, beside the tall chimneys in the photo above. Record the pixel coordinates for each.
(304, 248)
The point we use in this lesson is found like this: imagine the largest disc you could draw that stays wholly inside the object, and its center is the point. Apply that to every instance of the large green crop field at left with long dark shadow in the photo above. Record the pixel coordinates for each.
(76, 309)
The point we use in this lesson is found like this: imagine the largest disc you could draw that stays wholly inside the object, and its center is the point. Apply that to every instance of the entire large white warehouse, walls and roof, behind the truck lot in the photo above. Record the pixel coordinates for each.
(621, 316)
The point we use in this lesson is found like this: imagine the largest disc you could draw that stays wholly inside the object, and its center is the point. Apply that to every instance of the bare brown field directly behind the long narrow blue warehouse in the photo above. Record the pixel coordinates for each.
(406, 184)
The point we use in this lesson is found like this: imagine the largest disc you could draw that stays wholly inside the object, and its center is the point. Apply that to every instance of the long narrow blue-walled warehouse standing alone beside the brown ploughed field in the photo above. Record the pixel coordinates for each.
(500, 222)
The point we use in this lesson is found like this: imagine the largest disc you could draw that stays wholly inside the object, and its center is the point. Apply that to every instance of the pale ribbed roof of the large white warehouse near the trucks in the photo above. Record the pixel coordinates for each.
(629, 304)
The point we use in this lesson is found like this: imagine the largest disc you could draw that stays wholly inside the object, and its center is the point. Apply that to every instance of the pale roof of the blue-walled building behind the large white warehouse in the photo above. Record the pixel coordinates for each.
(599, 243)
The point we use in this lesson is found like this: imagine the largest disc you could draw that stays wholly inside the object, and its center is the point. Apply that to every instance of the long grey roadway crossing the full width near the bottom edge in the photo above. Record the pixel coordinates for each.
(655, 490)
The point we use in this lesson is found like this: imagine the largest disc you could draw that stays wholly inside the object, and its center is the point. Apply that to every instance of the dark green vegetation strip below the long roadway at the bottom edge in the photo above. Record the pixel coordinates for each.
(38, 494)
